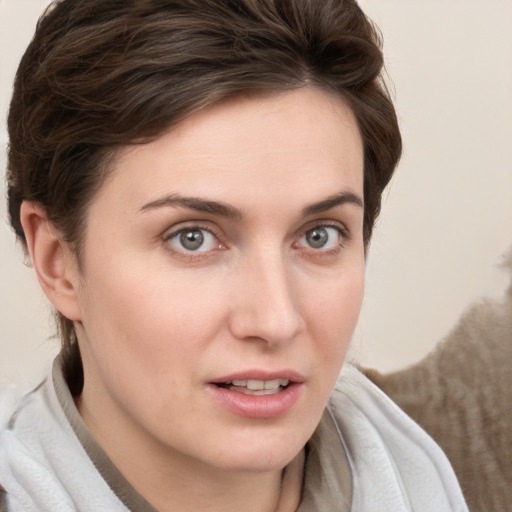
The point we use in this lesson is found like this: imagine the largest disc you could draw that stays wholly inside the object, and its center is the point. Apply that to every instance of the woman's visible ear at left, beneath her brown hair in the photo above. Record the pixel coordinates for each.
(54, 262)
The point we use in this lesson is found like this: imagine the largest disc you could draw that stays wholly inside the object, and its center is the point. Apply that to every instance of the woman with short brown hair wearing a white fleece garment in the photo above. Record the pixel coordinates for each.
(196, 183)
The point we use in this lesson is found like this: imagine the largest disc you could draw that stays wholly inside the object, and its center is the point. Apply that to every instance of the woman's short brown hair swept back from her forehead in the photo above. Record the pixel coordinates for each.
(100, 74)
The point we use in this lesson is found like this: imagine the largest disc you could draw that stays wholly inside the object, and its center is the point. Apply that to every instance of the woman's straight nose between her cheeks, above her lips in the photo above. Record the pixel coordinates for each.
(266, 302)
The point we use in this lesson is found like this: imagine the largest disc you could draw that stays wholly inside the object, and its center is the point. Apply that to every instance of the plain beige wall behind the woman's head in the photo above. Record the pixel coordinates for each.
(446, 219)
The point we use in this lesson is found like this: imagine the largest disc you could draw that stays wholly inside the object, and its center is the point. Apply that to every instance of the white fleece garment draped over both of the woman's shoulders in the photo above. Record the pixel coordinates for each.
(395, 465)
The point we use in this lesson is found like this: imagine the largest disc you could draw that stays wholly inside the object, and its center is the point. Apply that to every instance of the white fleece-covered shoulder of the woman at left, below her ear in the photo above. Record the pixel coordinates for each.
(44, 464)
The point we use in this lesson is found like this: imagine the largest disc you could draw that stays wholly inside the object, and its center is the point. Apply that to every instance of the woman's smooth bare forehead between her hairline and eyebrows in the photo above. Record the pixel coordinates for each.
(296, 143)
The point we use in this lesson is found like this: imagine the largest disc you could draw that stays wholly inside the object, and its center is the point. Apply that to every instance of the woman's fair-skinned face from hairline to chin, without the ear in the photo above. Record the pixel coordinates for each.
(222, 279)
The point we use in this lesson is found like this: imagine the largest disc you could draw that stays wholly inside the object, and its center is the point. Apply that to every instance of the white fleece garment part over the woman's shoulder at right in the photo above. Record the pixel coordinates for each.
(395, 464)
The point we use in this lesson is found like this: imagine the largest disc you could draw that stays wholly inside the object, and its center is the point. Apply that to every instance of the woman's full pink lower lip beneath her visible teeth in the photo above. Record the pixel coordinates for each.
(258, 406)
